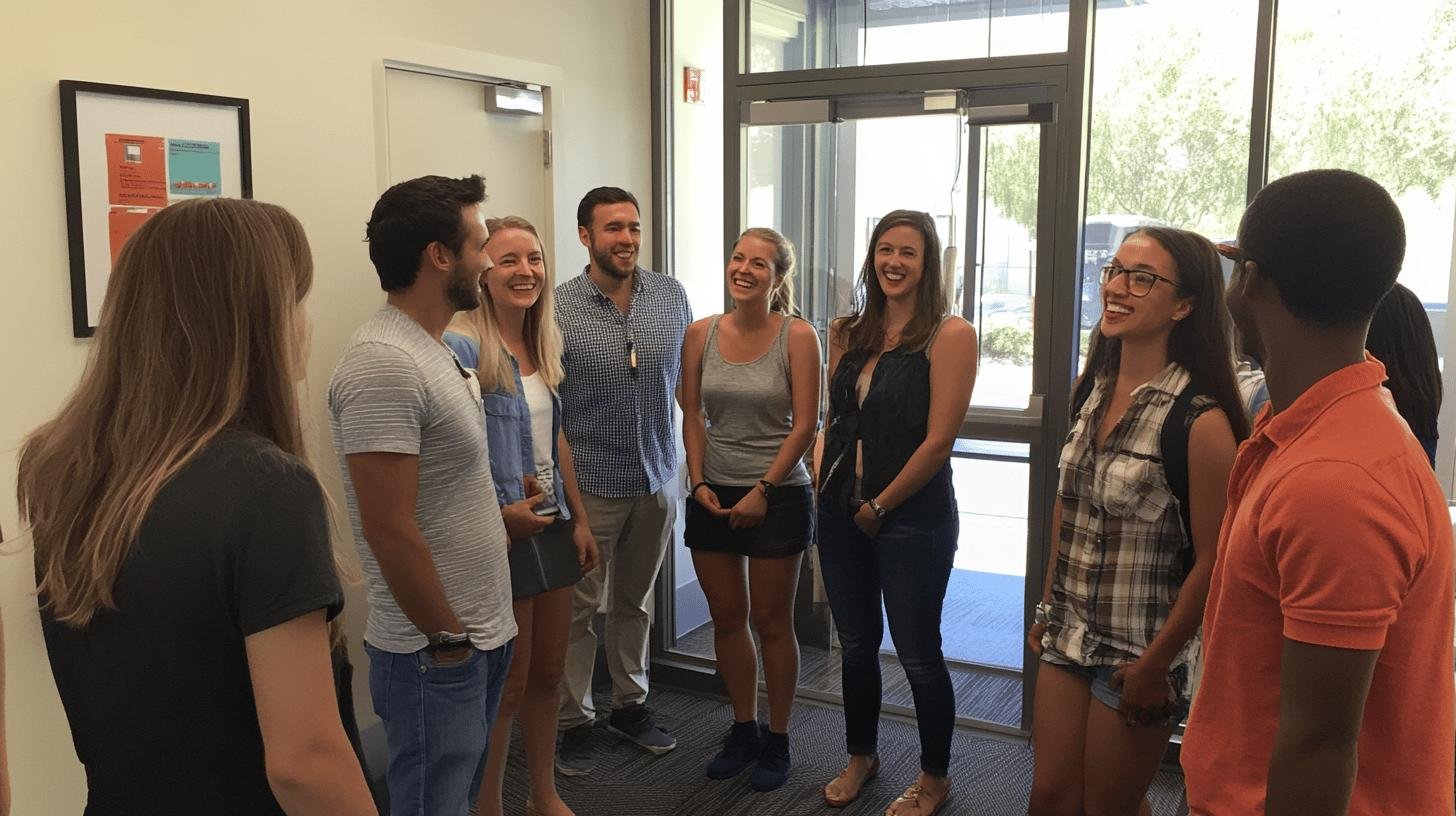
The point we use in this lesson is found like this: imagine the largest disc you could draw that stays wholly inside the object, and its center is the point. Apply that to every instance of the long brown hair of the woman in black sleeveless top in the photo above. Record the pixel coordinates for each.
(866, 327)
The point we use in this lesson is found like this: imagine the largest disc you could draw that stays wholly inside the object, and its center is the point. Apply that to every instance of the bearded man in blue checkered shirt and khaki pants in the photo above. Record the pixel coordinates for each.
(624, 337)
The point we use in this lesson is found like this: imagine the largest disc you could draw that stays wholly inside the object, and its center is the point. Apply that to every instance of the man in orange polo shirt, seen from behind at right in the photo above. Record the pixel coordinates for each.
(1327, 683)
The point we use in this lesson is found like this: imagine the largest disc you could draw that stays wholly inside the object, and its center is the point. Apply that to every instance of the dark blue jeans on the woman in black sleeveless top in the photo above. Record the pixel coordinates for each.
(909, 568)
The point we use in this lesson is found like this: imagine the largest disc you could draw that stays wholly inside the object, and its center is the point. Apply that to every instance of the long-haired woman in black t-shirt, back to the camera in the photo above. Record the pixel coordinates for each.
(183, 553)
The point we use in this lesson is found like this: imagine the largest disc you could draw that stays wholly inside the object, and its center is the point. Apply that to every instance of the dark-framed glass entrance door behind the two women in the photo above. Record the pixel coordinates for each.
(825, 183)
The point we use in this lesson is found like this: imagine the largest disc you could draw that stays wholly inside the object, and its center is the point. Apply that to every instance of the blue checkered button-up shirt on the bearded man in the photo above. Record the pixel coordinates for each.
(618, 416)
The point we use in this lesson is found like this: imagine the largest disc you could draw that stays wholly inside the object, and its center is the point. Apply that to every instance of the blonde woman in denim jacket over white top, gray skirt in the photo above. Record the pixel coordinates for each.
(535, 483)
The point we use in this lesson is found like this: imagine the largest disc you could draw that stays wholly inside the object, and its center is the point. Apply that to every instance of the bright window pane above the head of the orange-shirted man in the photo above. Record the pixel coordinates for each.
(1368, 88)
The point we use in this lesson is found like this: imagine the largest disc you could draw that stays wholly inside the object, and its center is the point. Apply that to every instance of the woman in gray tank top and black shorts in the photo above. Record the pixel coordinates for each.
(751, 406)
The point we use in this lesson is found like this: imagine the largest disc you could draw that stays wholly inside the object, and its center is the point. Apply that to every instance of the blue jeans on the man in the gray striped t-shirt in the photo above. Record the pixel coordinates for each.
(438, 723)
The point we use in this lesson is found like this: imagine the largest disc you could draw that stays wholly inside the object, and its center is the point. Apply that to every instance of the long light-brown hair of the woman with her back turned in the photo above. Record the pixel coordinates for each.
(197, 336)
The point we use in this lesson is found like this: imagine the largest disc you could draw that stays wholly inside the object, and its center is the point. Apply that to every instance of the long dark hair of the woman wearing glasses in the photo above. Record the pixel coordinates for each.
(1200, 343)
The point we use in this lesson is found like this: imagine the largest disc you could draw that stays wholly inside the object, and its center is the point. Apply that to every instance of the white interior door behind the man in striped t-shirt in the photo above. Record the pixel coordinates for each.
(439, 126)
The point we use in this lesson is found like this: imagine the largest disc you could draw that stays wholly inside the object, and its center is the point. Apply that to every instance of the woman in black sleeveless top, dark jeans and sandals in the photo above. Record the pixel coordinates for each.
(902, 377)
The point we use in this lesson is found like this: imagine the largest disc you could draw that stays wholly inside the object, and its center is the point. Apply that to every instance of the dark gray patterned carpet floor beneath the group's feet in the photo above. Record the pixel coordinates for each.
(992, 776)
